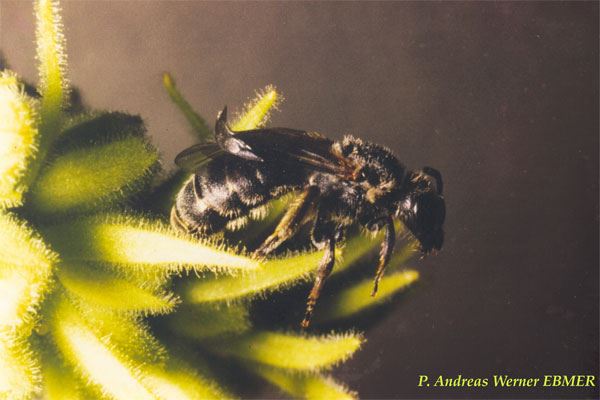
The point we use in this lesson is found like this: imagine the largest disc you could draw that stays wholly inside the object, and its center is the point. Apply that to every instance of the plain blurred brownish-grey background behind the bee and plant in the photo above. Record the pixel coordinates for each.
(500, 97)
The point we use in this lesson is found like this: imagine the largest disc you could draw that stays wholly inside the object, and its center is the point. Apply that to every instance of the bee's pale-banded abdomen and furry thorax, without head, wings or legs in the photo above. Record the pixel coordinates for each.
(229, 190)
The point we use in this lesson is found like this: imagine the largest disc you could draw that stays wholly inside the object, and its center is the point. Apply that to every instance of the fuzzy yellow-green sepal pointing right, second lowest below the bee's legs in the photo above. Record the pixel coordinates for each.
(292, 351)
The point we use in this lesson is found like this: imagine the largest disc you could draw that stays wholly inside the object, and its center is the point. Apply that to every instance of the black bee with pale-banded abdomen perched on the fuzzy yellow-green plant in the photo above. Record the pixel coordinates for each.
(338, 183)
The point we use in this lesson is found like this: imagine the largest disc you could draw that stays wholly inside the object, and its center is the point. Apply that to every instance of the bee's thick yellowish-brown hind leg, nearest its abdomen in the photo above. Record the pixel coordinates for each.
(291, 221)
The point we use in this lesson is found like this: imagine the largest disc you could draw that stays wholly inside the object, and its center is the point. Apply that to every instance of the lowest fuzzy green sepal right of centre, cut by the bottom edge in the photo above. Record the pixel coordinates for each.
(305, 385)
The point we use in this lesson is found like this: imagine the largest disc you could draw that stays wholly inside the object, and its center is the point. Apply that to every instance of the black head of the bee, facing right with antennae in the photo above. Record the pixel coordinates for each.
(423, 209)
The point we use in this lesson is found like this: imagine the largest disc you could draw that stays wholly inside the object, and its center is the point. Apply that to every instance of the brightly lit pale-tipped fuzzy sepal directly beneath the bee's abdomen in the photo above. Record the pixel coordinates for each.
(135, 242)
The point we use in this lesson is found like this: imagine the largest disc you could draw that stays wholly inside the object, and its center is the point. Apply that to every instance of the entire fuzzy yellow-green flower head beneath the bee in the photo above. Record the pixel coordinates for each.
(84, 263)
